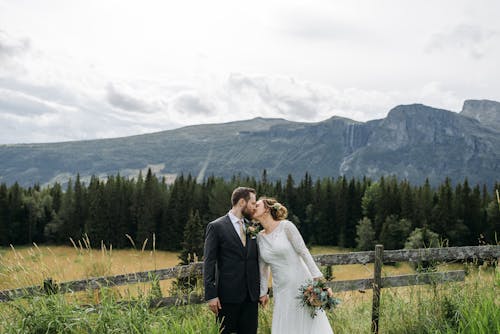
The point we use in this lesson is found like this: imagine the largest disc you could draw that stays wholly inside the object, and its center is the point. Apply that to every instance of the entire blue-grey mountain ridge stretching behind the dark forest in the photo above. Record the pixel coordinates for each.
(414, 142)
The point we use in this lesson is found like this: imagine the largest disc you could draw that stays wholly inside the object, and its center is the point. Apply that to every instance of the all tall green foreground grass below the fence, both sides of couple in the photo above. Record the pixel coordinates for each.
(465, 307)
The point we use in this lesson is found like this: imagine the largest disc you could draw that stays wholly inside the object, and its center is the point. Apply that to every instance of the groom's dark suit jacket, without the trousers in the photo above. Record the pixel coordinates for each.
(230, 271)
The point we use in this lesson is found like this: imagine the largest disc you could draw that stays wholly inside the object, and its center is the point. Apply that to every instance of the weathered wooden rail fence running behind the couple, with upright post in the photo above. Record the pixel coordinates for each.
(378, 257)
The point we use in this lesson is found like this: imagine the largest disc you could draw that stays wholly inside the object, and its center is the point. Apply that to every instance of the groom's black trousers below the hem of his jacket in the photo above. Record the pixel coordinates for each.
(241, 318)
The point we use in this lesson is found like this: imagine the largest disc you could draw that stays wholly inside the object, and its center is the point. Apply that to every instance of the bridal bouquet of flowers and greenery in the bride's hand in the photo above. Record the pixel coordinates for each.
(316, 296)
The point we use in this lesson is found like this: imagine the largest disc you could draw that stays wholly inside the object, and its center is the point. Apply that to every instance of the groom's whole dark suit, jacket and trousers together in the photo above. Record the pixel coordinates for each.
(231, 273)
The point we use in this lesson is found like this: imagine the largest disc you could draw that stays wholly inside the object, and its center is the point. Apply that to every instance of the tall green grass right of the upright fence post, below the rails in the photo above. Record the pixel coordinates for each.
(470, 307)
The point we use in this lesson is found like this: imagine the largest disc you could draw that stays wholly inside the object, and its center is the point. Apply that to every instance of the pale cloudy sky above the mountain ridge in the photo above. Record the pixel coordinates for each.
(72, 70)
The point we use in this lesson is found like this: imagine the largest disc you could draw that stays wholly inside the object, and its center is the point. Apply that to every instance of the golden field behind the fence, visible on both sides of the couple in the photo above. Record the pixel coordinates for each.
(24, 266)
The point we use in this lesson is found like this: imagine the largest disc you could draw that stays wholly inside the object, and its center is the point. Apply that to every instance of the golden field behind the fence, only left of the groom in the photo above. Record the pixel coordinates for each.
(26, 266)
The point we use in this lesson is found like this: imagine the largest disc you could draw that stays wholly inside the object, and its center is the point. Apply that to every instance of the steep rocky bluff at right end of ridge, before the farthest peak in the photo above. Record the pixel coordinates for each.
(418, 142)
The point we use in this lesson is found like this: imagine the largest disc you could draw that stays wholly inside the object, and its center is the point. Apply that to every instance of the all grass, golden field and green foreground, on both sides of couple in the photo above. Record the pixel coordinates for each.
(464, 307)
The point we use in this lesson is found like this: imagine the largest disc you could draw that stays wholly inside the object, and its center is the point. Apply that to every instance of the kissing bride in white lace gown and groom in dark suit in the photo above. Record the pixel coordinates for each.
(237, 265)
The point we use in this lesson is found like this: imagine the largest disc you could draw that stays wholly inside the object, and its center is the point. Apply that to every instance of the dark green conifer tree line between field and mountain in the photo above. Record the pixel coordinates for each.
(354, 213)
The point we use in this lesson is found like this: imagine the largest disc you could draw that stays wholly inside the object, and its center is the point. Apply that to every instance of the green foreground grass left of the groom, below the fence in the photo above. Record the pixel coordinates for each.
(56, 314)
